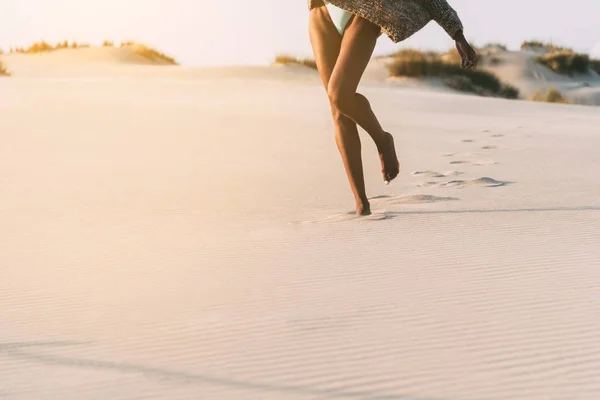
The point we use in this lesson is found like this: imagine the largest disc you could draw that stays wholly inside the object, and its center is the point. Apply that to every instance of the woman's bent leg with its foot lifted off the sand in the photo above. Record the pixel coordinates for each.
(355, 52)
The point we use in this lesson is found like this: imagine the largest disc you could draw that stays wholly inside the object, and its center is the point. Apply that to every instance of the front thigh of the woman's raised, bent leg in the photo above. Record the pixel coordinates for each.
(355, 52)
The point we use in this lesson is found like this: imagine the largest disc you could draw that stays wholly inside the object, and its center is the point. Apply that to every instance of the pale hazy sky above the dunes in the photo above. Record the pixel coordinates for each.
(248, 32)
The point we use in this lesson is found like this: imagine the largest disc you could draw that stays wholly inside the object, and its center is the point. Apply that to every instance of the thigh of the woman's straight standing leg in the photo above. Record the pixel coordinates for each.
(325, 41)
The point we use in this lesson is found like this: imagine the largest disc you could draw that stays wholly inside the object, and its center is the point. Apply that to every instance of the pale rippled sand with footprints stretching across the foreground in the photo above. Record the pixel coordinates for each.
(188, 234)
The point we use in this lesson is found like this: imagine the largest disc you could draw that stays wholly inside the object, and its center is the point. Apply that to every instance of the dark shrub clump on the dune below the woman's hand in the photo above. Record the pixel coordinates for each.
(417, 64)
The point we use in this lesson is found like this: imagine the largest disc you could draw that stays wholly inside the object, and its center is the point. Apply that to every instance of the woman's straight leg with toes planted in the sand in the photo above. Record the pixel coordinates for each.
(326, 43)
